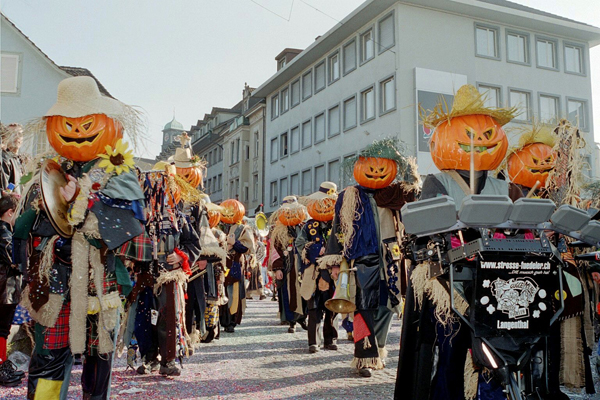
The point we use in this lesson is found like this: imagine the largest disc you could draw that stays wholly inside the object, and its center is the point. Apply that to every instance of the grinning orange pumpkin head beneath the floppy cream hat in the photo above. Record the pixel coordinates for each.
(81, 139)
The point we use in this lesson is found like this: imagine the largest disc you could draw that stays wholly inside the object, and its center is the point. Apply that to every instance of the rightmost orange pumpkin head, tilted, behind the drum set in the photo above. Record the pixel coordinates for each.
(531, 164)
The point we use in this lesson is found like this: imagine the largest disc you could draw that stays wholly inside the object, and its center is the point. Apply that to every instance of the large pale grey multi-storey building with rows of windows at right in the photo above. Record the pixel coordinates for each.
(364, 79)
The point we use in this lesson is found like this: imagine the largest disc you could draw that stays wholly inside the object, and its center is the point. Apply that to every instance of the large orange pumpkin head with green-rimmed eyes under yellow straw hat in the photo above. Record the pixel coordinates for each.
(450, 144)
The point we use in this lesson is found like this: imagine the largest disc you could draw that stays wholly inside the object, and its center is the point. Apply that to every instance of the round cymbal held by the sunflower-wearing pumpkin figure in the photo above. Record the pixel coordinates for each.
(52, 178)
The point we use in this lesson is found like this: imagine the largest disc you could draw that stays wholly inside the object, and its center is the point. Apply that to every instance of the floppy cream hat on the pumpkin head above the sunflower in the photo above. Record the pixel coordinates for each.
(79, 96)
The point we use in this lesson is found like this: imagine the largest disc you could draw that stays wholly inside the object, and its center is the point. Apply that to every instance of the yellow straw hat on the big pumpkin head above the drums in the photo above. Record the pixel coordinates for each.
(467, 101)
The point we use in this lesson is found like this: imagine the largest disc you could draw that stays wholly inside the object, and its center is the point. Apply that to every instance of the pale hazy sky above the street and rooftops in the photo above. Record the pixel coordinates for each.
(183, 57)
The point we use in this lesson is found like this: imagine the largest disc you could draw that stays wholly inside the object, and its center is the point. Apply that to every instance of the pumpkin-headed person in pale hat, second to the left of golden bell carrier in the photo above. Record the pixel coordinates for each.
(284, 260)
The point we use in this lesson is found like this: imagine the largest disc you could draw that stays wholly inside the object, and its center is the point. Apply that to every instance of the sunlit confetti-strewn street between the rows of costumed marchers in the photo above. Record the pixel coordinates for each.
(261, 360)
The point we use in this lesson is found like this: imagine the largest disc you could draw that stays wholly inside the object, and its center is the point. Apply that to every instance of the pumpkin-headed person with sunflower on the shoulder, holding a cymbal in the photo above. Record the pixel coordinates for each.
(76, 213)
